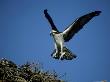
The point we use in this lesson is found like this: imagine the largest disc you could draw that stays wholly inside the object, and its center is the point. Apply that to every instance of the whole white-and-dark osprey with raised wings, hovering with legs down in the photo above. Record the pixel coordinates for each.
(61, 52)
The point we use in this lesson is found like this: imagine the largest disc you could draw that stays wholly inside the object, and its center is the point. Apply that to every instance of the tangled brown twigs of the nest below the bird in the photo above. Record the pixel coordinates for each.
(29, 72)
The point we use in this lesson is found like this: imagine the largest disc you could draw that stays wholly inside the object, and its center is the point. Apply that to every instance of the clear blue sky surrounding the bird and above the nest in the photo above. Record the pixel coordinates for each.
(24, 36)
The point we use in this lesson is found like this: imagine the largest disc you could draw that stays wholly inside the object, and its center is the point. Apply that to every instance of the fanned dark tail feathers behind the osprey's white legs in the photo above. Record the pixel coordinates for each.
(67, 56)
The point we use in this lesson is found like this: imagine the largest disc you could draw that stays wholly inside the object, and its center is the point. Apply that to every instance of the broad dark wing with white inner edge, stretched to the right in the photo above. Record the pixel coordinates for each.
(78, 24)
